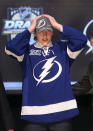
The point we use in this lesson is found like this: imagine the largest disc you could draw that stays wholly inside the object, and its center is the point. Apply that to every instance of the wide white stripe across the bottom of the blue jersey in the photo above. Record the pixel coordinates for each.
(47, 109)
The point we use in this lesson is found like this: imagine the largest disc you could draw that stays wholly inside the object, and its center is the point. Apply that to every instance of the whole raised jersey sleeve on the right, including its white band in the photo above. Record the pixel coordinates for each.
(75, 42)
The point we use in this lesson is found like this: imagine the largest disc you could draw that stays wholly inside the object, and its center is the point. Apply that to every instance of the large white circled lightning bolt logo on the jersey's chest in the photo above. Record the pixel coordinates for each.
(48, 64)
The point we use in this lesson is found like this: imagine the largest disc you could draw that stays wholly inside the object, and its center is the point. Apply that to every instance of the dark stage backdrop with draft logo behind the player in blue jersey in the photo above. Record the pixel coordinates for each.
(16, 16)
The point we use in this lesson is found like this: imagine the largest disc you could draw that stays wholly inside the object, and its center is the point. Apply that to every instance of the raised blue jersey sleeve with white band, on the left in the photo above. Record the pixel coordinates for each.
(18, 45)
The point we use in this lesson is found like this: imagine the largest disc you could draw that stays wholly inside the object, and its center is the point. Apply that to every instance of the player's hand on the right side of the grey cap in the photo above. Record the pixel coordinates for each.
(54, 23)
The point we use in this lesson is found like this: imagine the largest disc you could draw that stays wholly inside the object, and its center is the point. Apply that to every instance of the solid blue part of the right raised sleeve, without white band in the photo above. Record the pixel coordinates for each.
(76, 39)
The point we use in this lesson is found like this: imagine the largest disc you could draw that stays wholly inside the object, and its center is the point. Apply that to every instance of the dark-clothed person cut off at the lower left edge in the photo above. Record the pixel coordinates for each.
(6, 117)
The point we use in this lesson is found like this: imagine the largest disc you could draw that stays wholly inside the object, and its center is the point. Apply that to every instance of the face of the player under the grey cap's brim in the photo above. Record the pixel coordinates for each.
(44, 37)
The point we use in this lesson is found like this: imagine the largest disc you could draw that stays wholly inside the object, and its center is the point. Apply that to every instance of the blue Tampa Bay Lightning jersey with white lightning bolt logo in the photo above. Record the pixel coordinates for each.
(46, 92)
